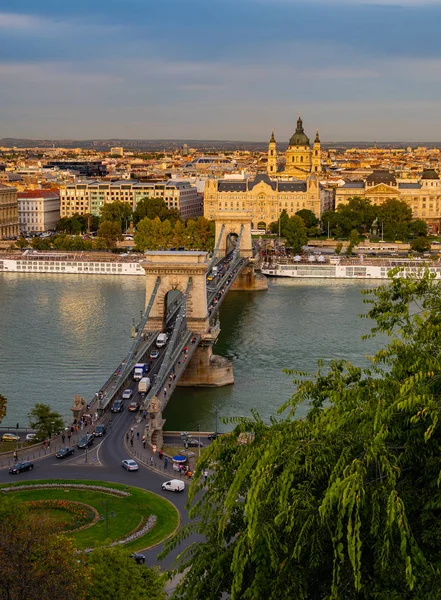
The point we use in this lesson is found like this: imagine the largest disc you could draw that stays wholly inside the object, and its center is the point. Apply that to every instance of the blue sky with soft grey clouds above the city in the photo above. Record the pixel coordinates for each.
(230, 69)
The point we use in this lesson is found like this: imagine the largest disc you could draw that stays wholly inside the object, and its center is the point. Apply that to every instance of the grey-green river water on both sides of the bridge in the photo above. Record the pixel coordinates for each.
(63, 335)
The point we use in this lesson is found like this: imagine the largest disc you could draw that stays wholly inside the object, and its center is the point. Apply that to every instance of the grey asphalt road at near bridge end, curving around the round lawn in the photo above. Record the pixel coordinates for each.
(104, 464)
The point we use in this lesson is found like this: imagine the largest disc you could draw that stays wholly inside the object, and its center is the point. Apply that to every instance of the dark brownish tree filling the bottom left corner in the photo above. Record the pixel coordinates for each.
(35, 562)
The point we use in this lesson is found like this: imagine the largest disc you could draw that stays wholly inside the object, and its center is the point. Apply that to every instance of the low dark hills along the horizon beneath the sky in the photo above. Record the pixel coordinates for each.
(202, 145)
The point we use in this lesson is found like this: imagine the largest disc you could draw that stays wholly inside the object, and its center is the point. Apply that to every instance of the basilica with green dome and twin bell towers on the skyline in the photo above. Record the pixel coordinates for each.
(300, 159)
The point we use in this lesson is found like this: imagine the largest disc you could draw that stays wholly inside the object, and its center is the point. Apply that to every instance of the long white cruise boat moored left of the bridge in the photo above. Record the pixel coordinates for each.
(78, 263)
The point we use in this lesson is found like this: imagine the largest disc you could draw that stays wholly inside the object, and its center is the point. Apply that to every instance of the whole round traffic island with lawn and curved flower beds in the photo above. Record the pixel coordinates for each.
(97, 512)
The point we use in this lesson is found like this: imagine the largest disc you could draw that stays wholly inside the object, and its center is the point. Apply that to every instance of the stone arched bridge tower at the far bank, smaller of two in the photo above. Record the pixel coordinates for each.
(231, 224)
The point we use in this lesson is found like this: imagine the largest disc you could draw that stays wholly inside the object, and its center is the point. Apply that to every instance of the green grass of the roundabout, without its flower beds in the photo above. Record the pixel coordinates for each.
(127, 512)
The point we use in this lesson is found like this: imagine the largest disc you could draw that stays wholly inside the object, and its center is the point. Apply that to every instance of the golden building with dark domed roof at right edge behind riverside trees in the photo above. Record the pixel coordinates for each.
(423, 196)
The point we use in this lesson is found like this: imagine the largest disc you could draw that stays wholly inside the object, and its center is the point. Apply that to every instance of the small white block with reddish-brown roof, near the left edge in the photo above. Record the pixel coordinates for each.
(38, 210)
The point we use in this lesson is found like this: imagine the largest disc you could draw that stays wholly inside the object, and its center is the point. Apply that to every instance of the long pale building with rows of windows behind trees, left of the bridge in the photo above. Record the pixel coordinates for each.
(90, 197)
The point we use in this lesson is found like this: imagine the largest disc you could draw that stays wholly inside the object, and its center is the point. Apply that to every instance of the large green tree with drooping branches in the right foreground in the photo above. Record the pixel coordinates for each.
(345, 502)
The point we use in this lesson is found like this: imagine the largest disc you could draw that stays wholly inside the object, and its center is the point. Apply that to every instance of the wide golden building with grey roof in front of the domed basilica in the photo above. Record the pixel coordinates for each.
(265, 198)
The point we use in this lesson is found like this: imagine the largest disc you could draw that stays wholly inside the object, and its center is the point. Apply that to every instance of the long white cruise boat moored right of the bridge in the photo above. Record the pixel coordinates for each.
(340, 268)
